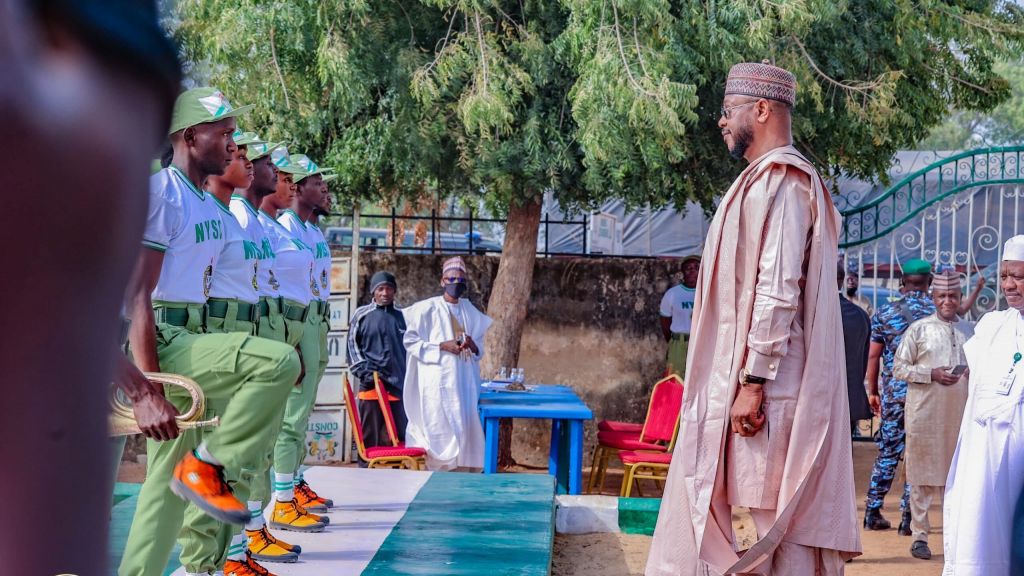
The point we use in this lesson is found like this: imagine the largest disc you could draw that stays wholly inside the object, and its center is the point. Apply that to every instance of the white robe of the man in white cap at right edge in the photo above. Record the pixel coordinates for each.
(988, 472)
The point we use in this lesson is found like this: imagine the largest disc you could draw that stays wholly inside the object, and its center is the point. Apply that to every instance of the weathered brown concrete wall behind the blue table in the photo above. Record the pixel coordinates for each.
(592, 324)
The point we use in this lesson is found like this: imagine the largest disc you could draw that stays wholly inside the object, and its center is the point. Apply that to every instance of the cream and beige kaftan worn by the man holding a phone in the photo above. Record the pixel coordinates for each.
(933, 412)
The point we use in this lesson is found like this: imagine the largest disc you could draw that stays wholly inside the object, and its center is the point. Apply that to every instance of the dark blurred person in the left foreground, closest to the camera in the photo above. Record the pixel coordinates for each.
(86, 100)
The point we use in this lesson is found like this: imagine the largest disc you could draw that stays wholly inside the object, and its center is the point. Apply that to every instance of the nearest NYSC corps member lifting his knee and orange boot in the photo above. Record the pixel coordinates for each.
(183, 243)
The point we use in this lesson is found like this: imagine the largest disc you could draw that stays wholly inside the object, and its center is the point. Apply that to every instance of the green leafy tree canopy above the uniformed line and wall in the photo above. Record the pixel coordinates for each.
(590, 99)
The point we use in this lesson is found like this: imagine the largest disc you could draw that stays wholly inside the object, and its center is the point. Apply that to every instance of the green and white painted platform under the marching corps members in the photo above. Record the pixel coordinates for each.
(412, 523)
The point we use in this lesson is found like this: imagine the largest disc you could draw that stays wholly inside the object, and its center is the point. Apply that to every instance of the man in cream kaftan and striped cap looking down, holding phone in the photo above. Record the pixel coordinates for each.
(931, 360)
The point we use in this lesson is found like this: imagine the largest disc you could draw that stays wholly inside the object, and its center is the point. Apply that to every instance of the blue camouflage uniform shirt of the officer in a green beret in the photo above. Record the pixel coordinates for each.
(888, 326)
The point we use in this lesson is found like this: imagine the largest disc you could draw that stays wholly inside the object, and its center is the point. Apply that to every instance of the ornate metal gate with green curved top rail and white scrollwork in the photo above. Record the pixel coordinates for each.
(955, 213)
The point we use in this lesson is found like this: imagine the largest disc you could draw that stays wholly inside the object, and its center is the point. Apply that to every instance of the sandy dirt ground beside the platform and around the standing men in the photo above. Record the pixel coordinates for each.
(885, 553)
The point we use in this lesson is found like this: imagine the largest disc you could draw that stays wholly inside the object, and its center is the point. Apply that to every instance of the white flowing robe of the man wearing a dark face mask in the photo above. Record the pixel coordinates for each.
(442, 389)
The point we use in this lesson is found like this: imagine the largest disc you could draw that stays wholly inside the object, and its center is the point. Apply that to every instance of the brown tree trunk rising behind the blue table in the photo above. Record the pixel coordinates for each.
(508, 302)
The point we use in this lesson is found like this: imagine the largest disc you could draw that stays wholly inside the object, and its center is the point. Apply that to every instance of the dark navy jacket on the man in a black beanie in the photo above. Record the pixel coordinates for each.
(375, 345)
